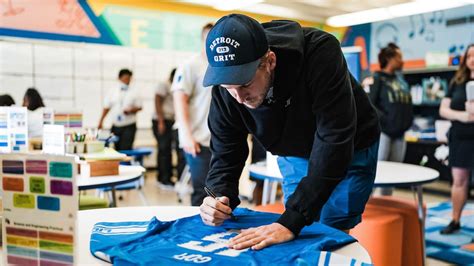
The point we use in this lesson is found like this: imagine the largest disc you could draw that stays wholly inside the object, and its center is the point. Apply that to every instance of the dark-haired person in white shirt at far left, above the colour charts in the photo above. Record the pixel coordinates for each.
(34, 103)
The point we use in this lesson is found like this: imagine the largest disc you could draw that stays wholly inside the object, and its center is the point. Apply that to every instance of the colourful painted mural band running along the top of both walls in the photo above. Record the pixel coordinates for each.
(161, 25)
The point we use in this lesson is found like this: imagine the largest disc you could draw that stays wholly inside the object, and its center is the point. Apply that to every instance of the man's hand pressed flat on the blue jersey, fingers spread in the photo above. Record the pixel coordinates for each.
(260, 237)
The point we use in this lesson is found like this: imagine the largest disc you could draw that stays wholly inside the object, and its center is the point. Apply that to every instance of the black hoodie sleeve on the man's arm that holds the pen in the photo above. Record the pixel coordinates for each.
(228, 146)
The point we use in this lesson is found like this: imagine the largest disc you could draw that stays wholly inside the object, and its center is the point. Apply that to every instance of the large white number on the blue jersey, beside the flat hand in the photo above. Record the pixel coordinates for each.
(219, 243)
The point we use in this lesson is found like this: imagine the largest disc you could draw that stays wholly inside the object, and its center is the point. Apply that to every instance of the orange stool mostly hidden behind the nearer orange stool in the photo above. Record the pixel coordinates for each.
(412, 243)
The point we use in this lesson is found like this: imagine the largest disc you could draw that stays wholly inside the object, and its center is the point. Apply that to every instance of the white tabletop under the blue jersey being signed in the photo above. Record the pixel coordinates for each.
(87, 219)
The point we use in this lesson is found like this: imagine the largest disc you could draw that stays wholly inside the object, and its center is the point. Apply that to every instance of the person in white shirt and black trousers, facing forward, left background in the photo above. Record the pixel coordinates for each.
(124, 103)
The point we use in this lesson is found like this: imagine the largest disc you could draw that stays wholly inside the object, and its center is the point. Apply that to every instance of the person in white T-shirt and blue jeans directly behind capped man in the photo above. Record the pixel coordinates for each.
(192, 102)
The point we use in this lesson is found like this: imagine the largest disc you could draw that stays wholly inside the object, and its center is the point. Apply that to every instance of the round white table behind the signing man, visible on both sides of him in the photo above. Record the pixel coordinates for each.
(389, 174)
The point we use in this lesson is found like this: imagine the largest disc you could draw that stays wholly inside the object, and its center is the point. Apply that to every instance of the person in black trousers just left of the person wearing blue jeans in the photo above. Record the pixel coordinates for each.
(163, 120)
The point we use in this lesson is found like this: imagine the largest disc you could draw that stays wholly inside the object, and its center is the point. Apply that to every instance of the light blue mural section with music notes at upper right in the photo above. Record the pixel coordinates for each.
(448, 31)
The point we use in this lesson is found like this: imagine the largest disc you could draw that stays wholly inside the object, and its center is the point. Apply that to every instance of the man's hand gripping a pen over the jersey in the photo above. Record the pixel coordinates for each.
(215, 212)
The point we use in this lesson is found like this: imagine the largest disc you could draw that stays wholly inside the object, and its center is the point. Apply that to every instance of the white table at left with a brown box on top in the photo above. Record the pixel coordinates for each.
(127, 174)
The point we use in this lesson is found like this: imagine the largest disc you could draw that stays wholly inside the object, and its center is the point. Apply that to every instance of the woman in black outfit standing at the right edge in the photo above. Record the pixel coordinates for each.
(456, 108)
